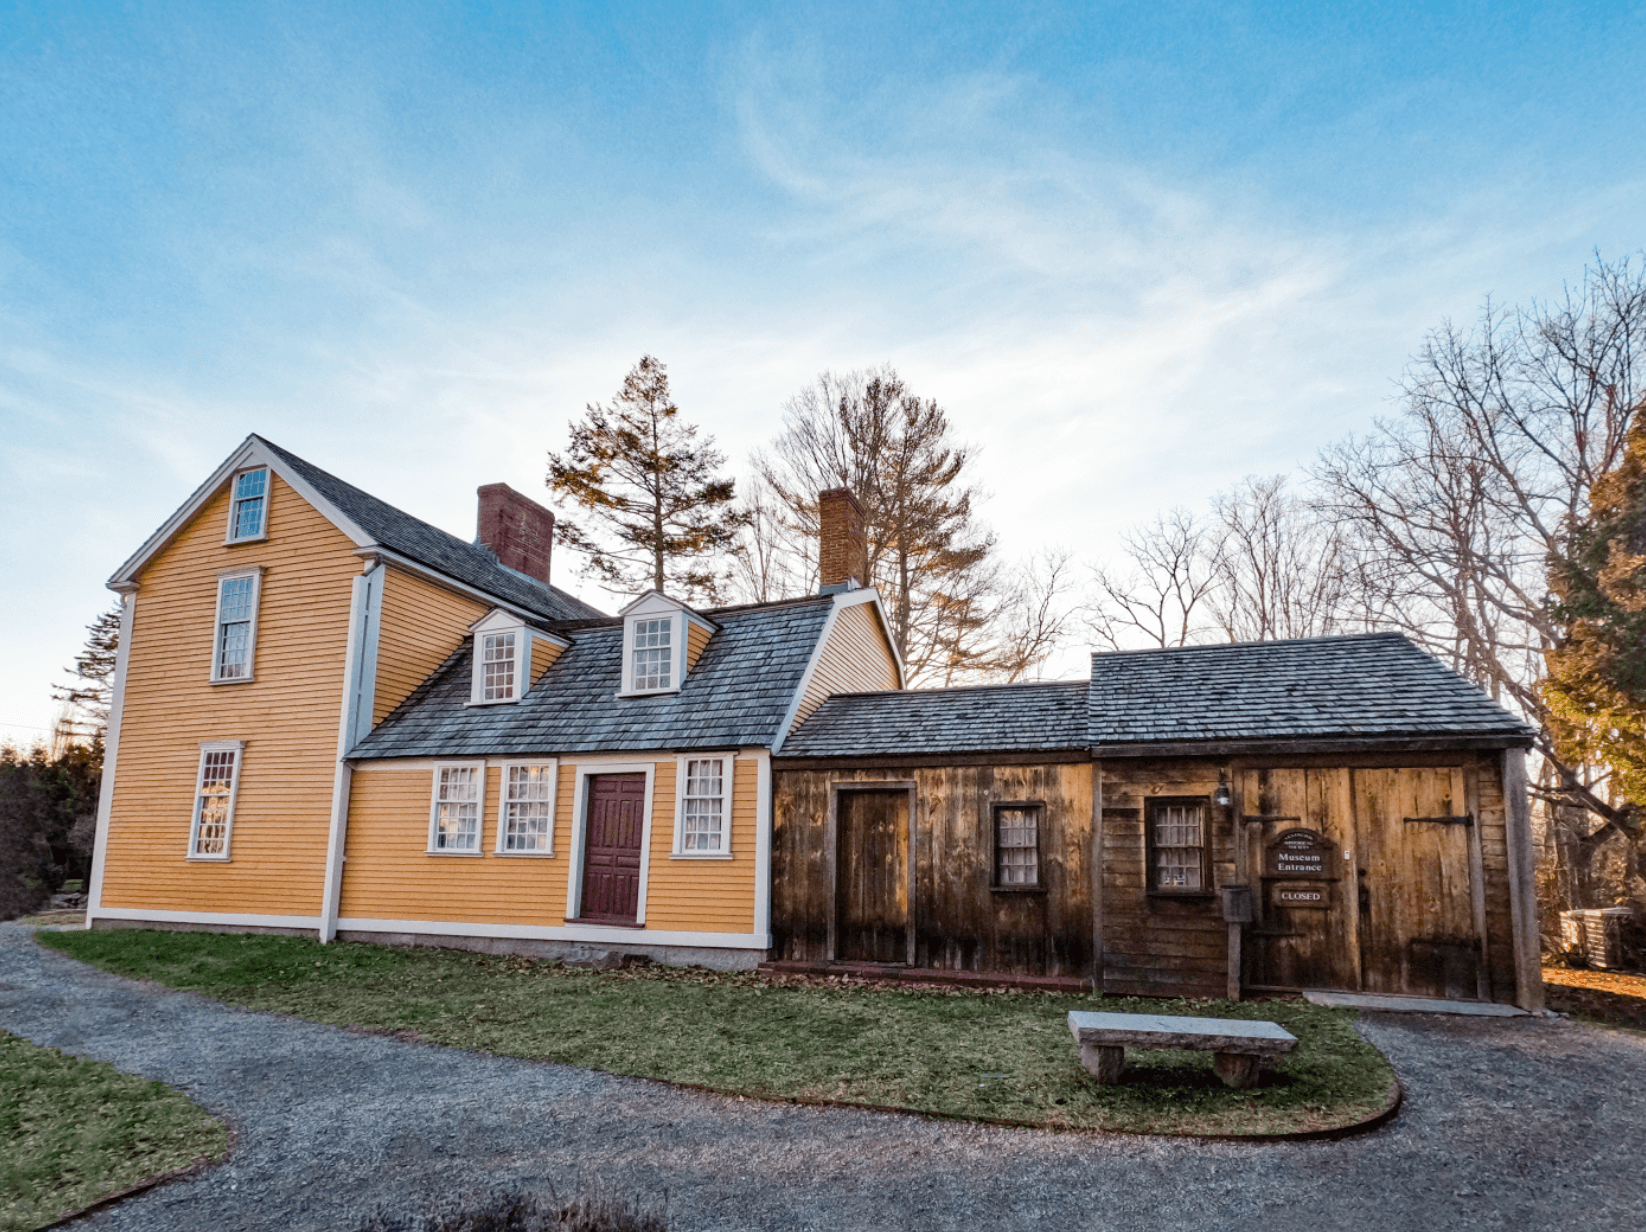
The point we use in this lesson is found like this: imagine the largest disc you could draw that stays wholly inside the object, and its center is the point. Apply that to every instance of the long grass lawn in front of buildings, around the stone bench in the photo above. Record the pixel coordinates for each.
(949, 1053)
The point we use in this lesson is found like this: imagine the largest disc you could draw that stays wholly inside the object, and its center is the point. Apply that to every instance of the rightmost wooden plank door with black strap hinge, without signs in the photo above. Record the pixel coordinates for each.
(1418, 930)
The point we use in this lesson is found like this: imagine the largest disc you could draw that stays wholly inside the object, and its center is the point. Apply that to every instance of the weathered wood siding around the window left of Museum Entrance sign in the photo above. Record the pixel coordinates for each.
(1160, 945)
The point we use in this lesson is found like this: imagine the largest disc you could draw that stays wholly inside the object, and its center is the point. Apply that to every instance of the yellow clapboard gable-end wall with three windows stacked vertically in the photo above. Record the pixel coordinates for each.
(287, 716)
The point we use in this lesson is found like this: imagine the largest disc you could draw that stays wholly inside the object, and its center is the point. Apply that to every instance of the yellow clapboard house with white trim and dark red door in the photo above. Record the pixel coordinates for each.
(332, 717)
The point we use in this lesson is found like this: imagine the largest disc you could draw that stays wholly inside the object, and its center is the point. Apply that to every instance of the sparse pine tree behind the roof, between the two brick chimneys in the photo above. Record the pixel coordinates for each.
(661, 515)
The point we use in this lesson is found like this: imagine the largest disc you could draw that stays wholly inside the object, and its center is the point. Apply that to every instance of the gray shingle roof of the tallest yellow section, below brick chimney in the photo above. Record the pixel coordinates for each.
(430, 546)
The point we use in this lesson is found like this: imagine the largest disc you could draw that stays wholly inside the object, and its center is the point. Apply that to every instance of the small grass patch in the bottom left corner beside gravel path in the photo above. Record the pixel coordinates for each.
(73, 1131)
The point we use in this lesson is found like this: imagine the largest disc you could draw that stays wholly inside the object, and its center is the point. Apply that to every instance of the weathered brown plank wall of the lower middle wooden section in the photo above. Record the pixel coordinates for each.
(962, 923)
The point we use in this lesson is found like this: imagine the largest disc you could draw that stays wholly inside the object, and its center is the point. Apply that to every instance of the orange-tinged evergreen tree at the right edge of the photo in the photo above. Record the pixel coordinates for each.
(1597, 673)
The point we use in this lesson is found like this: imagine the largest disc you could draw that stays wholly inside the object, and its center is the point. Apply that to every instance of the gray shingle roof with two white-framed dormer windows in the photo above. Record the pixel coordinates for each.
(737, 696)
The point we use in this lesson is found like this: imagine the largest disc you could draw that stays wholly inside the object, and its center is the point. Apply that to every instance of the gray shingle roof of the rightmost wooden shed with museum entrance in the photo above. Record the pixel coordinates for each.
(1316, 688)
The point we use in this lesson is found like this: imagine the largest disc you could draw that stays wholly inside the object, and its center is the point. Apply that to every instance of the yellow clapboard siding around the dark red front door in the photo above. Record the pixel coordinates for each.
(391, 875)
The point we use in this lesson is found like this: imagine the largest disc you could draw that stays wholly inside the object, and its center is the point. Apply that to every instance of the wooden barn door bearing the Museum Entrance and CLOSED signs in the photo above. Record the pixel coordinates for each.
(1306, 928)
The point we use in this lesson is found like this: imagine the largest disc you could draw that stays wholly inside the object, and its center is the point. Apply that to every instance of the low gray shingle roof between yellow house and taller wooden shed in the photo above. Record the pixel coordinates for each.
(990, 719)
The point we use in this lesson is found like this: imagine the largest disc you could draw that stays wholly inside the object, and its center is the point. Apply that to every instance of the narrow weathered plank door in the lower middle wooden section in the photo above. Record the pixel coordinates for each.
(872, 882)
